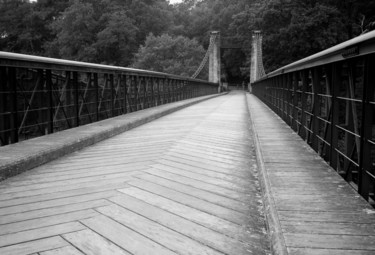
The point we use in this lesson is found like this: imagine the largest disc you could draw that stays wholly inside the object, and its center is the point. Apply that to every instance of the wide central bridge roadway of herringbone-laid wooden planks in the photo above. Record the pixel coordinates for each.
(186, 183)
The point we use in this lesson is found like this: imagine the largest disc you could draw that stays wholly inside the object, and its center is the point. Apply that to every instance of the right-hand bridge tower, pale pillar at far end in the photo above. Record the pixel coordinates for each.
(256, 65)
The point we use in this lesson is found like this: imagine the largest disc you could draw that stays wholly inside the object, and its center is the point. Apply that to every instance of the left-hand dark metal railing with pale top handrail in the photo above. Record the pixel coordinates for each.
(41, 95)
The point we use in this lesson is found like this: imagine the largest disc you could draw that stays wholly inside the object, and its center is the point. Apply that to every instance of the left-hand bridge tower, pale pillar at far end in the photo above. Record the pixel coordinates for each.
(214, 58)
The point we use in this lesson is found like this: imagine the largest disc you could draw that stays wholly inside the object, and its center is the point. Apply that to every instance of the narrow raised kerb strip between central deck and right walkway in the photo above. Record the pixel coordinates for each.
(277, 242)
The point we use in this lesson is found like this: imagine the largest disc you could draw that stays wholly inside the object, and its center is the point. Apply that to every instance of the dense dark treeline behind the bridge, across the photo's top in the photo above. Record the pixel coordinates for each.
(156, 35)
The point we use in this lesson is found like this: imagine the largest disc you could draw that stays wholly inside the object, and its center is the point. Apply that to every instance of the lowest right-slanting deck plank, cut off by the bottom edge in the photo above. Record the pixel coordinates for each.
(91, 243)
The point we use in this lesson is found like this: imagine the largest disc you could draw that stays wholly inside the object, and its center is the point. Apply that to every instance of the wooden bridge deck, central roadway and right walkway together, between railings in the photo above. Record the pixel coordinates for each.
(188, 183)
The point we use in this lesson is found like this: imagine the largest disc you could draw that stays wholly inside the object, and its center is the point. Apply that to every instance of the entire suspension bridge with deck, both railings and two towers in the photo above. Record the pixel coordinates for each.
(98, 159)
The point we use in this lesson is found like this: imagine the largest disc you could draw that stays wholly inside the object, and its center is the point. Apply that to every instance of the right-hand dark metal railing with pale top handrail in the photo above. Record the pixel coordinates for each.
(328, 99)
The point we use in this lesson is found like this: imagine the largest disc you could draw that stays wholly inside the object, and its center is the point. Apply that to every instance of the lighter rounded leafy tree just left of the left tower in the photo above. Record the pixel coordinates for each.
(175, 55)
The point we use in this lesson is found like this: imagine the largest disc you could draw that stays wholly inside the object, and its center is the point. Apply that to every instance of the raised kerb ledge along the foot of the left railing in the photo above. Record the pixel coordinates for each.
(25, 155)
